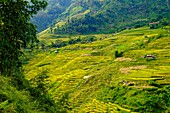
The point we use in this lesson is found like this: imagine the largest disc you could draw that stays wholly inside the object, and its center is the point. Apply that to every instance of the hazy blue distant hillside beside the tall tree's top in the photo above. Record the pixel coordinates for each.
(45, 18)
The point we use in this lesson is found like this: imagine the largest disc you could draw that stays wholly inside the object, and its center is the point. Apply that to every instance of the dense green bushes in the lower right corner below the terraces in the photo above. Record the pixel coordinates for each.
(138, 101)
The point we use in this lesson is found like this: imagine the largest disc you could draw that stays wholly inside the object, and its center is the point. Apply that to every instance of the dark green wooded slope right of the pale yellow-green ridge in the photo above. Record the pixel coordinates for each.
(116, 15)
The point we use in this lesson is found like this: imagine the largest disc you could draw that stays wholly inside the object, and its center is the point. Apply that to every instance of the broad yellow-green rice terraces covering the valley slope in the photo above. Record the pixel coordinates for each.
(121, 72)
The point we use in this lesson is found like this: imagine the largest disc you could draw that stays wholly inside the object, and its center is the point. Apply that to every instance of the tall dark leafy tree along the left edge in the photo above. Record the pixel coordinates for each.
(16, 32)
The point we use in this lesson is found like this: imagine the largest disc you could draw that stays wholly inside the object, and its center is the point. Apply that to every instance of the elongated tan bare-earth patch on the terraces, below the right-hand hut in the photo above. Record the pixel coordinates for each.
(126, 70)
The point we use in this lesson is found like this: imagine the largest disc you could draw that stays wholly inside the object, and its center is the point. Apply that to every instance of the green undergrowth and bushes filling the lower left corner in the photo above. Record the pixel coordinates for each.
(32, 98)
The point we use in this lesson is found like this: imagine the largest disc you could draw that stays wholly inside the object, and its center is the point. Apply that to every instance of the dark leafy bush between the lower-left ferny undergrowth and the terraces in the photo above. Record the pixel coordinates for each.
(39, 91)
